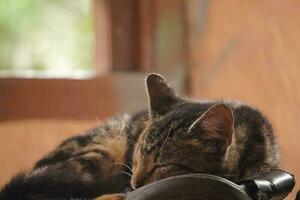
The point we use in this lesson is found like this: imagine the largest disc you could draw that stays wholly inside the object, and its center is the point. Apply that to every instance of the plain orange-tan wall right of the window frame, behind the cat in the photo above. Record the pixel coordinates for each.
(250, 50)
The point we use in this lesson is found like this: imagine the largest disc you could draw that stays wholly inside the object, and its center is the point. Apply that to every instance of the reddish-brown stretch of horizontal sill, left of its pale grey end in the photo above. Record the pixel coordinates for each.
(62, 98)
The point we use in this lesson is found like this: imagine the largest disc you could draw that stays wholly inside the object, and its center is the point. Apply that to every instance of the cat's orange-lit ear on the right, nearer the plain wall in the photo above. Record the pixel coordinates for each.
(216, 124)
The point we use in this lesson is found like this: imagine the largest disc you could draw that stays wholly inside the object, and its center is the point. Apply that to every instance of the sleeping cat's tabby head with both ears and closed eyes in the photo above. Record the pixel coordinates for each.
(181, 136)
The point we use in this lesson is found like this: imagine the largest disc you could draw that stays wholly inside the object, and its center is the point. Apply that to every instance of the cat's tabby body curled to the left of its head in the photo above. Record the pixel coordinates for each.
(82, 167)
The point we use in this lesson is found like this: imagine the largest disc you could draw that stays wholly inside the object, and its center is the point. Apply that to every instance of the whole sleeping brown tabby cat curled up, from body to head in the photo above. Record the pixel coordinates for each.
(174, 136)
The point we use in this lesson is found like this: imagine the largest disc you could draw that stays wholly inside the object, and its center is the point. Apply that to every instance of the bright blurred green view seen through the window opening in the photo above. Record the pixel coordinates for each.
(30, 31)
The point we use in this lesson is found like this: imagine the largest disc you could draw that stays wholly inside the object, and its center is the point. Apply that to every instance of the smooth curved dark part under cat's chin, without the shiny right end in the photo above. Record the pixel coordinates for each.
(190, 187)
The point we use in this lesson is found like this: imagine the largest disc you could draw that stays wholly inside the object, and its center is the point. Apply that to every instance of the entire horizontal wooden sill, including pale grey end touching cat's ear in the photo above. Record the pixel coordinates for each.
(90, 99)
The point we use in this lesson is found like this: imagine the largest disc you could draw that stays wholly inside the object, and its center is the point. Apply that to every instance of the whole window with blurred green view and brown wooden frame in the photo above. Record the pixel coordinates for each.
(45, 44)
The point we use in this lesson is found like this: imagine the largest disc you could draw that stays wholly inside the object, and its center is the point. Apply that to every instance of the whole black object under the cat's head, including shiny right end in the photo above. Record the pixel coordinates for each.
(273, 185)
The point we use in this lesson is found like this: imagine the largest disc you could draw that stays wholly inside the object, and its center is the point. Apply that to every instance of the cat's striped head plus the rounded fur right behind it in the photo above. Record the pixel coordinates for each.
(225, 138)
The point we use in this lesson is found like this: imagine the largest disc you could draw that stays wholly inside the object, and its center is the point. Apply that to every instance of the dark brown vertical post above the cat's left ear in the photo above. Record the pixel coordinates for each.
(125, 35)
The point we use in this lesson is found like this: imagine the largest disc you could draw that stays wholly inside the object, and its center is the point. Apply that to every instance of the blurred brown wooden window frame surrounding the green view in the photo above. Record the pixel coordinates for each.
(125, 41)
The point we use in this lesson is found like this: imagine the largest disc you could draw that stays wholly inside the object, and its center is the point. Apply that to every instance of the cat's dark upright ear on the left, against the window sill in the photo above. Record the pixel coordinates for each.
(160, 94)
